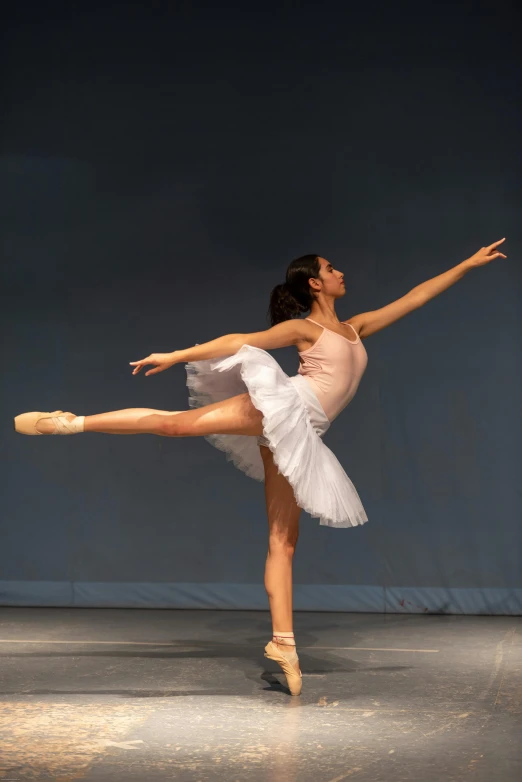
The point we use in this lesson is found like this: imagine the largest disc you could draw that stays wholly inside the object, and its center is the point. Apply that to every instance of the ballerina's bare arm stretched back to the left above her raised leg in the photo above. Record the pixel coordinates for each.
(279, 336)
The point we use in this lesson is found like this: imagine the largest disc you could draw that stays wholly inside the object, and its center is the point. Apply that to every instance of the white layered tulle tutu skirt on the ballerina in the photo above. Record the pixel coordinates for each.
(293, 423)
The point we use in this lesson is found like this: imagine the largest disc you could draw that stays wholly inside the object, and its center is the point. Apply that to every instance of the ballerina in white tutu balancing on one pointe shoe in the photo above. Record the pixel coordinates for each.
(270, 425)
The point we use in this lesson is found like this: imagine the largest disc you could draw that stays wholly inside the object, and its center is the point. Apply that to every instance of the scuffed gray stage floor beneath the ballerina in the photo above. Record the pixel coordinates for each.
(99, 694)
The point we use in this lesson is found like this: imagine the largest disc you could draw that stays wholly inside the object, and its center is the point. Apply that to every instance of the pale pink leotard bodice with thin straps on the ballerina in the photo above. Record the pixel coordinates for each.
(333, 366)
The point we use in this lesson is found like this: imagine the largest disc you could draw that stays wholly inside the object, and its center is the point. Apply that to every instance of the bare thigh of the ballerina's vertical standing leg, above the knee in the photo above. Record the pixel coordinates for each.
(282, 509)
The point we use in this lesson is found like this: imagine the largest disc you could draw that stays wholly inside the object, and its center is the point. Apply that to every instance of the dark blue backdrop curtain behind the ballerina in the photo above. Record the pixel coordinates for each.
(160, 168)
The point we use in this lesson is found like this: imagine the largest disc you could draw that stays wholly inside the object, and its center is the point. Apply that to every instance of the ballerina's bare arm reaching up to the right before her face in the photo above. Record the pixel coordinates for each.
(367, 323)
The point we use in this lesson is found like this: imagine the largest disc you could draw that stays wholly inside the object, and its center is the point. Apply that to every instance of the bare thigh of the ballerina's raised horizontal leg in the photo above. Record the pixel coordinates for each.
(235, 415)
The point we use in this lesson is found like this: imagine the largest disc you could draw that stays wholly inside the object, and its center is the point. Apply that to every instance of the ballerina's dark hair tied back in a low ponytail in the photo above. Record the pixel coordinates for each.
(294, 296)
